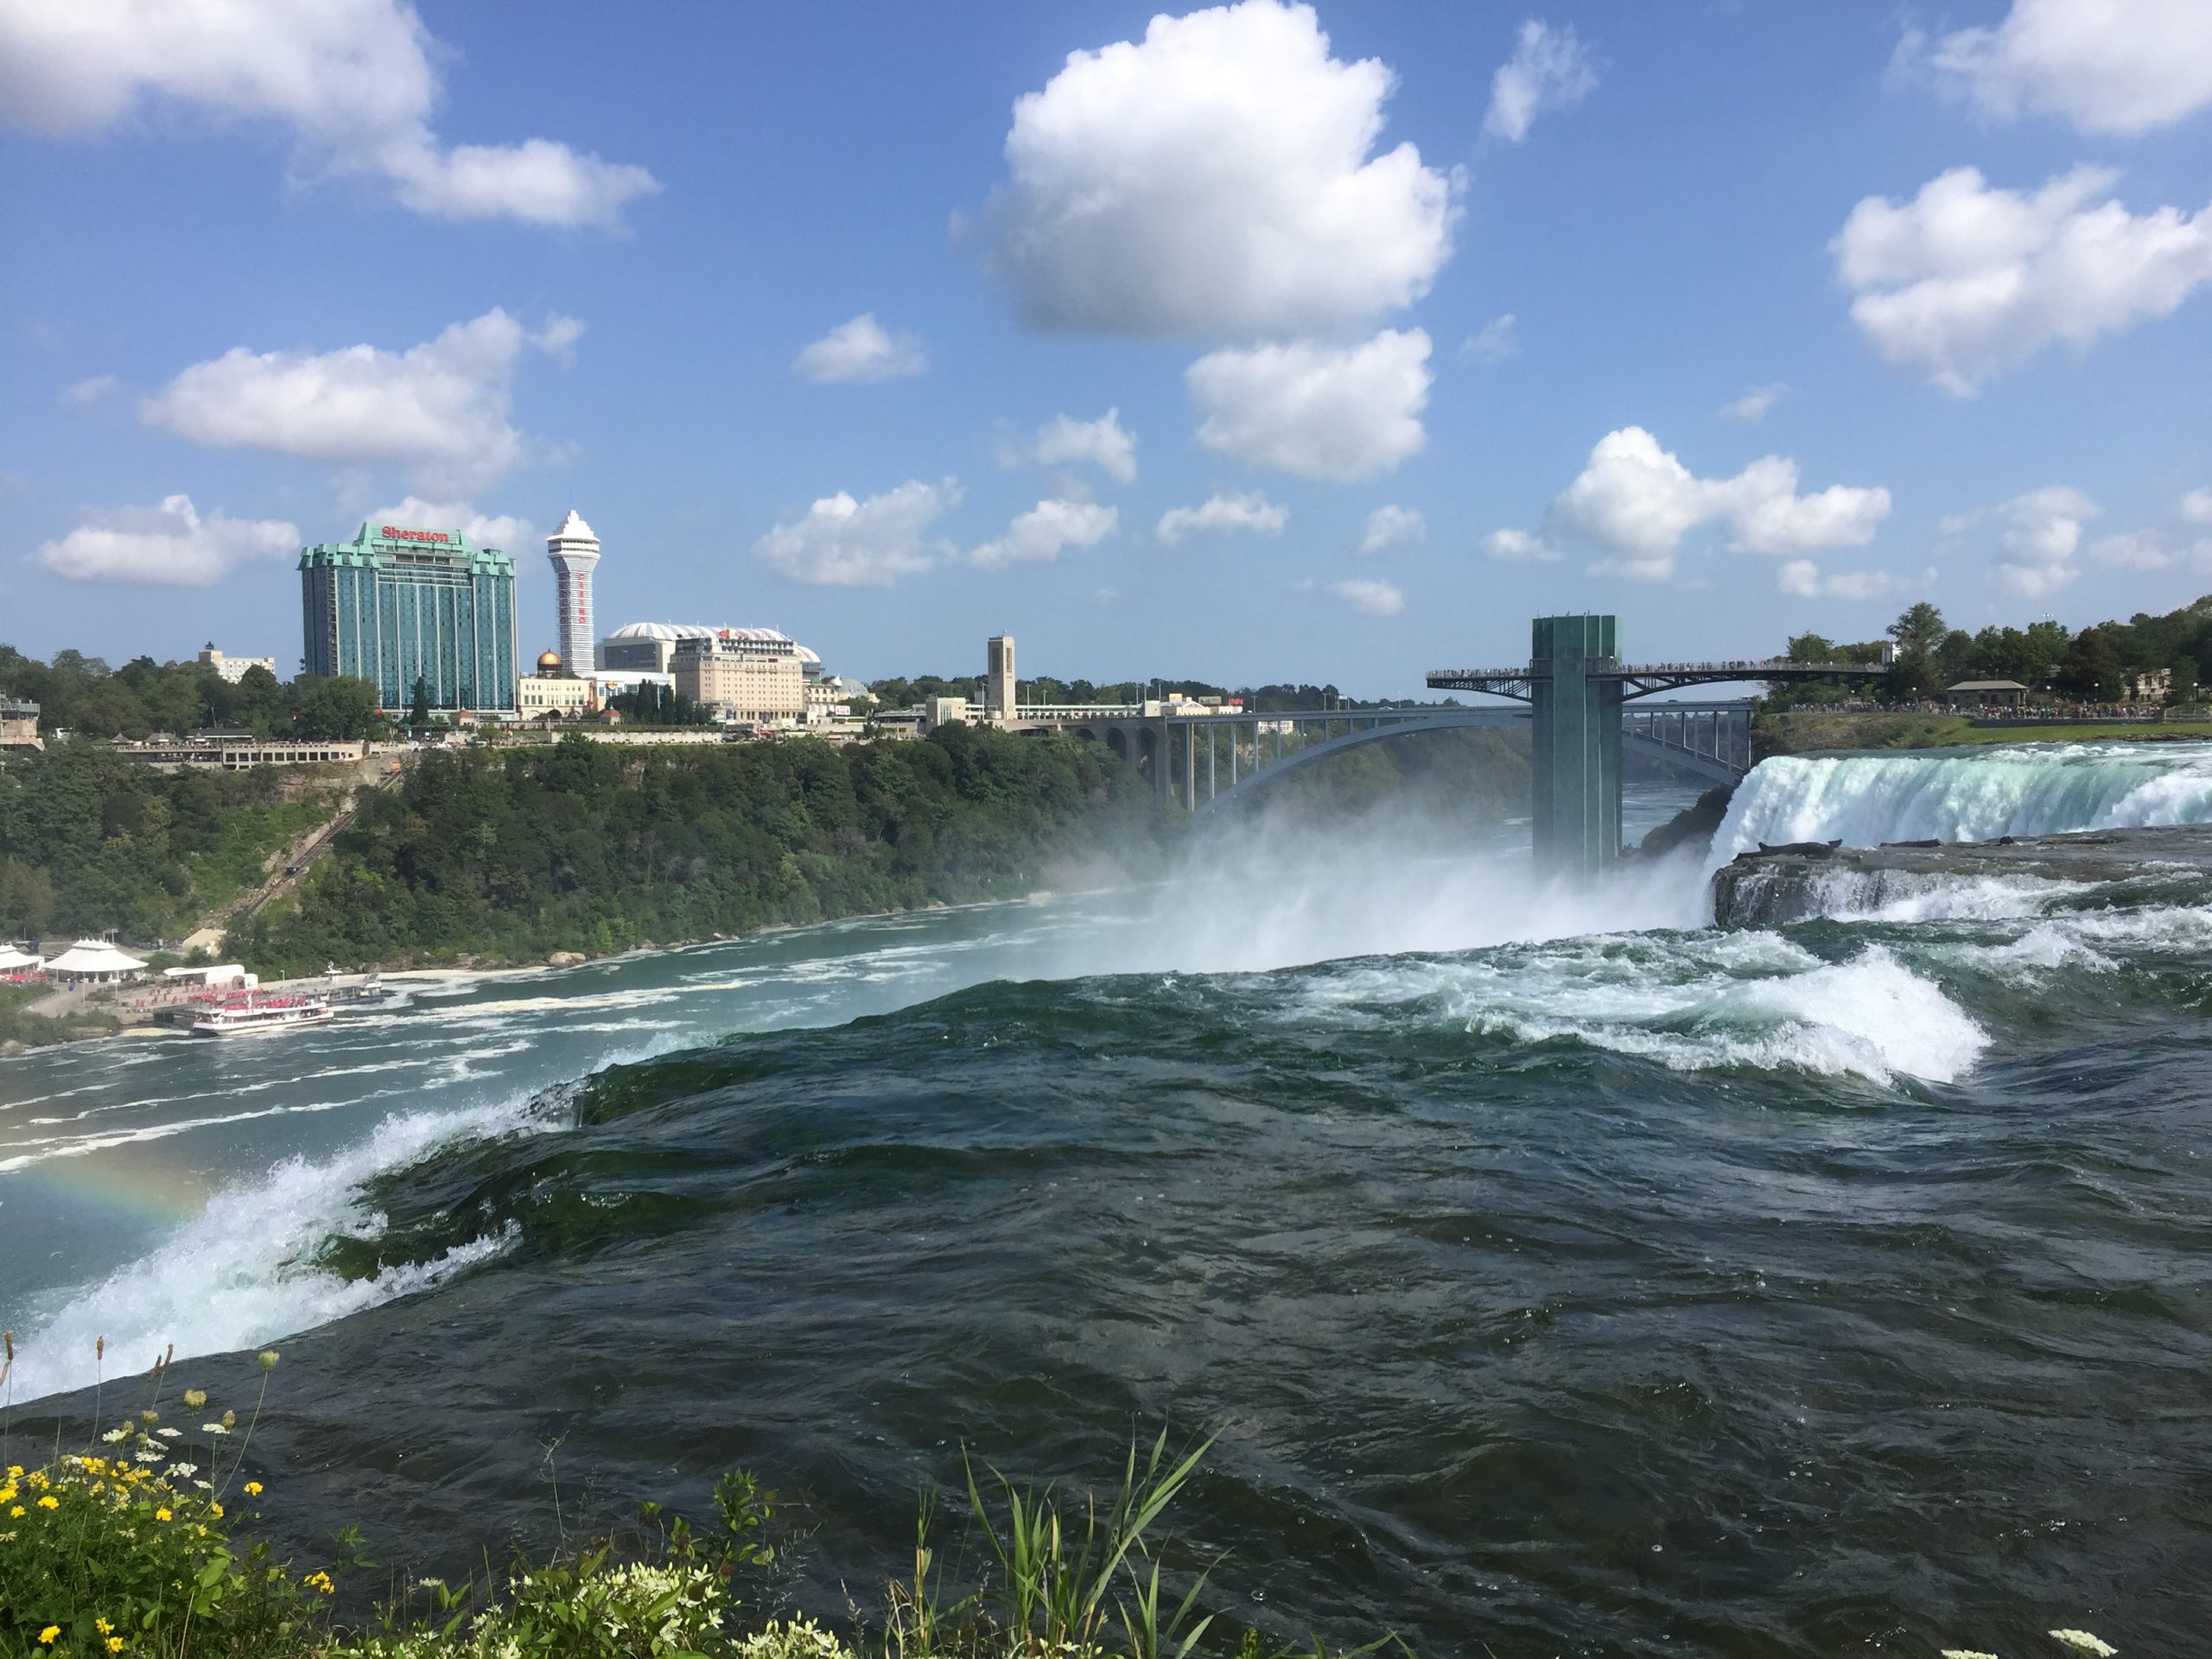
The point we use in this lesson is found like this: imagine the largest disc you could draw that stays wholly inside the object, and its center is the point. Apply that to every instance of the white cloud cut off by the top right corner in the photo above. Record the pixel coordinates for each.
(2111, 67)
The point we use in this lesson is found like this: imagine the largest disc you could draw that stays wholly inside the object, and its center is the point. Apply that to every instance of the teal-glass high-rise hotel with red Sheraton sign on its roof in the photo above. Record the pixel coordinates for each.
(401, 605)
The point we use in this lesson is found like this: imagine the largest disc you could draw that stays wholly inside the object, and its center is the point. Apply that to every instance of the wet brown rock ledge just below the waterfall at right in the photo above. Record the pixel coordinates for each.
(1822, 879)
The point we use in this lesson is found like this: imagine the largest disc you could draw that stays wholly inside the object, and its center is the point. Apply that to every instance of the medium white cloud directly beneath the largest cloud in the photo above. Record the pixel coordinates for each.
(1311, 410)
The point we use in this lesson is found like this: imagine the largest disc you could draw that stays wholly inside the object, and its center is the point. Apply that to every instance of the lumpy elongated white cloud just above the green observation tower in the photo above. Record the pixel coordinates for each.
(1638, 501)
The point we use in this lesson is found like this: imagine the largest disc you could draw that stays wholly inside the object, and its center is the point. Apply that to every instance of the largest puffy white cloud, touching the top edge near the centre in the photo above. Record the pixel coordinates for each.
(1215, 178)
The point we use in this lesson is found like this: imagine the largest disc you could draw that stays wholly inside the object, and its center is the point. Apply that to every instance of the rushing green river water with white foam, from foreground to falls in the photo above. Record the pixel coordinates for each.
(1558, 1273)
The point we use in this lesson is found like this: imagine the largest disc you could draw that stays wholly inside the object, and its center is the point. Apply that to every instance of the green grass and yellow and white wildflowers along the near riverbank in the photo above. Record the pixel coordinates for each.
(143, 1543)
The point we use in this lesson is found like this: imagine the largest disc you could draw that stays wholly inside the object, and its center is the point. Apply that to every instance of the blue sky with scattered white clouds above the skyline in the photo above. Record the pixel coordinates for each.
(817, 315)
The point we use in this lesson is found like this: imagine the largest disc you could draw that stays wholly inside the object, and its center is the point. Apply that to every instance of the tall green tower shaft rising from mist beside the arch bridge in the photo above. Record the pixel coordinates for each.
(1576, 747)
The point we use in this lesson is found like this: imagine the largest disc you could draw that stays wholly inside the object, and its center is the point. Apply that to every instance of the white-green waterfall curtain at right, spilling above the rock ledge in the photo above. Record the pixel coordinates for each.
(1968, 795)
